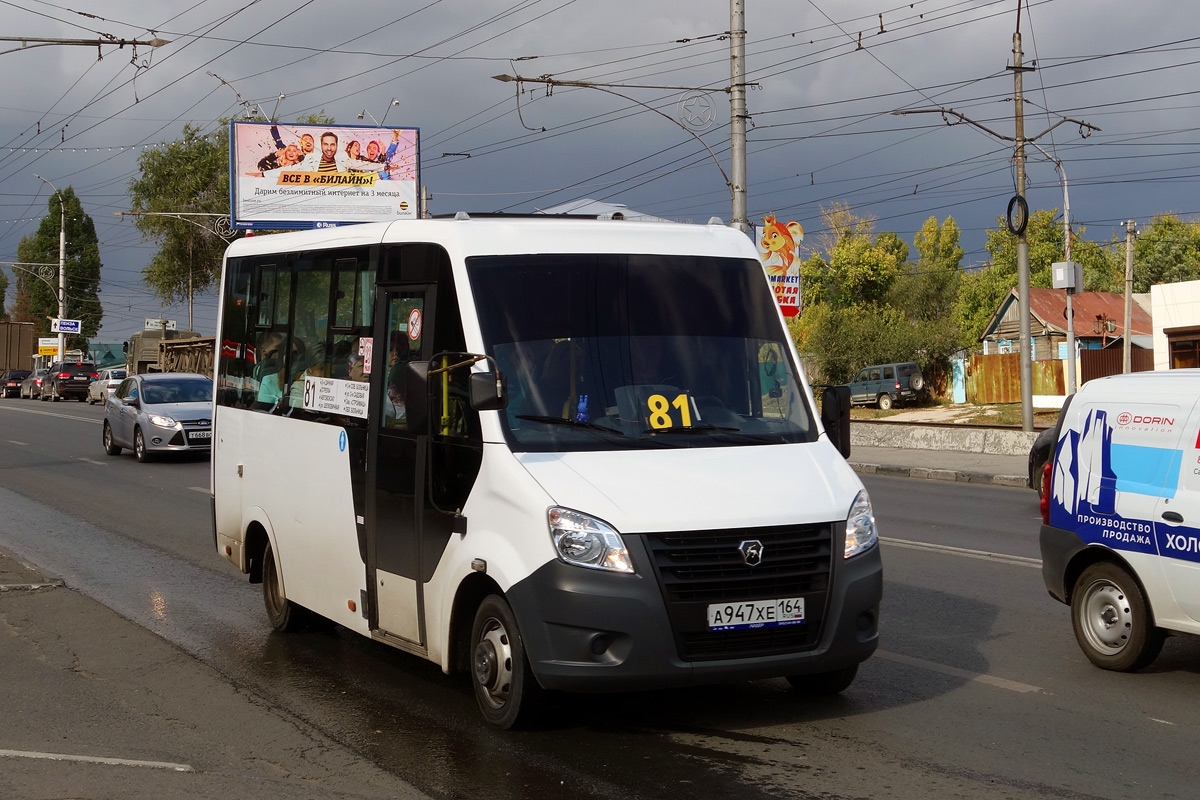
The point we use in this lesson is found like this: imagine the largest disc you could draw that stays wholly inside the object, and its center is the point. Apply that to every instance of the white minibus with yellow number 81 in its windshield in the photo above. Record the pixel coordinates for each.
(557, 455)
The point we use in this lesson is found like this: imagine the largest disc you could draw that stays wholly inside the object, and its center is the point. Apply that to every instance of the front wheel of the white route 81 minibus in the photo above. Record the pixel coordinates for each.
(507, 691)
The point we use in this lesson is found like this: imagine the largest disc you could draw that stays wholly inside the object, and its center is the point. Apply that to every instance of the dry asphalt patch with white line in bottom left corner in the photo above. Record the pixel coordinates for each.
(97, 707)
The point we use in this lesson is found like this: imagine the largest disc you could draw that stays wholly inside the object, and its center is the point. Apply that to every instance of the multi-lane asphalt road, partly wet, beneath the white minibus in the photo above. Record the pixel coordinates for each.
(979, 691)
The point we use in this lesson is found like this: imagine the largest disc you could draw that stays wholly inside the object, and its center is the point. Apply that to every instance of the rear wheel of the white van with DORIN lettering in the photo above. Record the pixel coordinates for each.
(1113, 622)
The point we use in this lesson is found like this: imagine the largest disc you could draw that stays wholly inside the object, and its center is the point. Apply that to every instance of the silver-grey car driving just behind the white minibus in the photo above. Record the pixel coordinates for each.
(158, 413)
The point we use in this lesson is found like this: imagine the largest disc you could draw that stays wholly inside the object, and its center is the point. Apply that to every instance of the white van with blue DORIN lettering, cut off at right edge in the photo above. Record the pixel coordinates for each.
(1121, 515)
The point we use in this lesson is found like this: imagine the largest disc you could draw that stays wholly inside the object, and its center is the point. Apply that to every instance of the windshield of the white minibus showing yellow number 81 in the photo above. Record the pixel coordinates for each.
(609, 352)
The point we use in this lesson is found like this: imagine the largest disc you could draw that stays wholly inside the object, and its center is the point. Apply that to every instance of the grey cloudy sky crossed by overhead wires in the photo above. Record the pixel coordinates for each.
(827, 77)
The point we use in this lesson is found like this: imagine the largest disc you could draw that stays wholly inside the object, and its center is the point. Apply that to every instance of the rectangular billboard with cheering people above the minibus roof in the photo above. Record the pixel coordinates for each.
(286, 176)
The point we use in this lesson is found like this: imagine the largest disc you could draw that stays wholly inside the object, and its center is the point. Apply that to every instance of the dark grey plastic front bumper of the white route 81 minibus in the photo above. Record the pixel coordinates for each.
(592, 631)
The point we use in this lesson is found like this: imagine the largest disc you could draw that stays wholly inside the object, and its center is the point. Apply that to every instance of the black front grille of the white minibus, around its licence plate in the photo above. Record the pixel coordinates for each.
(704, 568)
